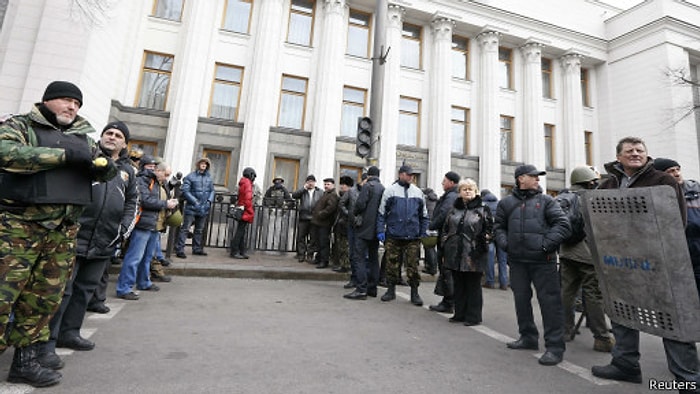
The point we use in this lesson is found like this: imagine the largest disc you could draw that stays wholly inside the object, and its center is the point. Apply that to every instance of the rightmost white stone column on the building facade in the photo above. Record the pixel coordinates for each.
(572, 116)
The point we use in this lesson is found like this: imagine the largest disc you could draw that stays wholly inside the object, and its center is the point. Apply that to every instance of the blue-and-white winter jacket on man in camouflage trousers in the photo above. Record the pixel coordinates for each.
(402, 212)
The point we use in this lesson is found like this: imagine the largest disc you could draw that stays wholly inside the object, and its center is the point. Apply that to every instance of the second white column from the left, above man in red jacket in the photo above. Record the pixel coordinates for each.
(264, 83)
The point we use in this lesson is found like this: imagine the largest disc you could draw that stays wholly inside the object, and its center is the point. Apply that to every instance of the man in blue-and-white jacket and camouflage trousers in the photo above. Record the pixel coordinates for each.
(401, 222)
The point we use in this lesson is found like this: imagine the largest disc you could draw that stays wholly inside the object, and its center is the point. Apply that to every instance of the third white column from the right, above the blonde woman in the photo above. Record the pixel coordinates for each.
(488, 114)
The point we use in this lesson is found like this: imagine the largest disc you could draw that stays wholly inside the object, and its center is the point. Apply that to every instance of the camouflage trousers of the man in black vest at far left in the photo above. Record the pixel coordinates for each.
(35, 264)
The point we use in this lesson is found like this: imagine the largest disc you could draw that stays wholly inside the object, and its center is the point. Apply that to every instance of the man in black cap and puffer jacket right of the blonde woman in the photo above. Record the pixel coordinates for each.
(530, 226)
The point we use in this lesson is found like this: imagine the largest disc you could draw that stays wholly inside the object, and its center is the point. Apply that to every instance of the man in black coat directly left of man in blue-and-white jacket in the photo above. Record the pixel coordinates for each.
(366, 242)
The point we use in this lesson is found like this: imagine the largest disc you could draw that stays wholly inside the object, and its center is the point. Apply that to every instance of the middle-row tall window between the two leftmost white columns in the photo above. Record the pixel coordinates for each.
(226, 92)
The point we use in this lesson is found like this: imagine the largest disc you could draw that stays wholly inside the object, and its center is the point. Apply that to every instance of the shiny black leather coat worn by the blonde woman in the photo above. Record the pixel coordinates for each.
(472, 238)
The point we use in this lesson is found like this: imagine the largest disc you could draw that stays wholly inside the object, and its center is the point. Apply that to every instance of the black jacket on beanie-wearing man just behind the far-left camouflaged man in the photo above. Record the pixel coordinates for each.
(112, 214)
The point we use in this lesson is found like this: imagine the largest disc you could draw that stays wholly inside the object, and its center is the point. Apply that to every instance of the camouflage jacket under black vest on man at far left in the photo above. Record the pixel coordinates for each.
(19, 154)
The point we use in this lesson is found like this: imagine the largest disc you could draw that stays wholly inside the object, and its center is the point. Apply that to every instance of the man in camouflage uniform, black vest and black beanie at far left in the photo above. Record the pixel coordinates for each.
(46, 157)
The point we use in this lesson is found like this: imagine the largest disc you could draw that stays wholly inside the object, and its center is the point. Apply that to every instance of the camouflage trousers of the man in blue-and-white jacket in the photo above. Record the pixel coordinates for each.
(398, 251)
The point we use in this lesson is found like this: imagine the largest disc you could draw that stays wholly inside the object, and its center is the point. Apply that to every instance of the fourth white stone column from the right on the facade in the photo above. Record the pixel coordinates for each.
(440, 133)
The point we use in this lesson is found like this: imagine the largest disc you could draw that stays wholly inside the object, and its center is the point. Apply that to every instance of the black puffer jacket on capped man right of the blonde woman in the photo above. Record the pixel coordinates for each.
(530, 226)
